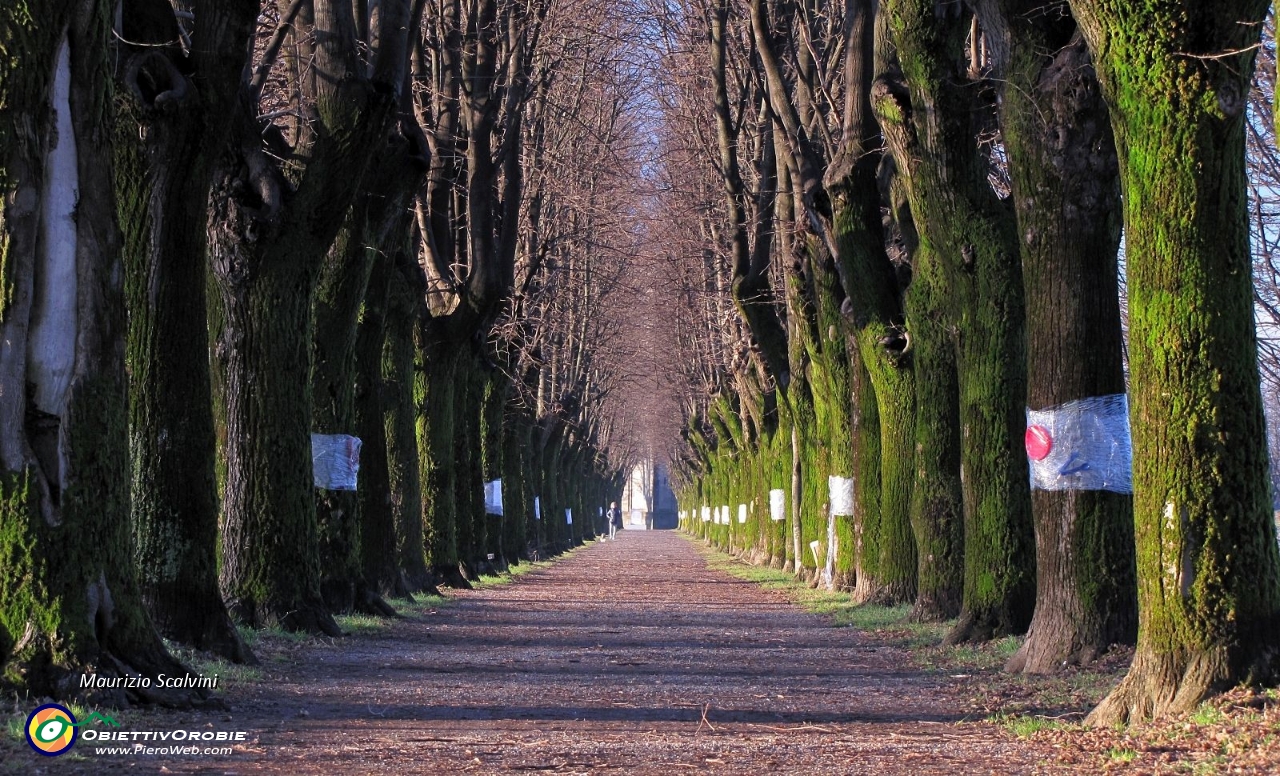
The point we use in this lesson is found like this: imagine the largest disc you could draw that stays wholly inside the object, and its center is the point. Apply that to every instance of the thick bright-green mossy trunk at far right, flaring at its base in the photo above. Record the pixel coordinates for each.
(1176, 77)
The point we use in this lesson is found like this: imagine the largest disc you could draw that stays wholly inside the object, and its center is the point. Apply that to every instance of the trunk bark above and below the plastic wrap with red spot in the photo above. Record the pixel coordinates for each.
(1063, 166)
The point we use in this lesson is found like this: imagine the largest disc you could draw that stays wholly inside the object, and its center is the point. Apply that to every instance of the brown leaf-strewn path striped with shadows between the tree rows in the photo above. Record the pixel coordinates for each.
(628, 658)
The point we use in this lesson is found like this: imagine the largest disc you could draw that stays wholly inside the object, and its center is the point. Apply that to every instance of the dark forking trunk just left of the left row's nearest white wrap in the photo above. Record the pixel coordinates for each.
(266, 272)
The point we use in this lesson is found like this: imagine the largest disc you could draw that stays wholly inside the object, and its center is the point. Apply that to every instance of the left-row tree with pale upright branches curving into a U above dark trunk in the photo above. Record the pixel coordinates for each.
(473, 67)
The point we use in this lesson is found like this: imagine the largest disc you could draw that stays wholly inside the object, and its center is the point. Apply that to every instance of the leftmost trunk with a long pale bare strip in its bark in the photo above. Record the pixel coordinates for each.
(70, 601)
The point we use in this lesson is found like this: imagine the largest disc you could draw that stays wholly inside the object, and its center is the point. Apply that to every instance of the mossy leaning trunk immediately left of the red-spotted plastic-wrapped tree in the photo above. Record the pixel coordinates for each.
(931, 112)
